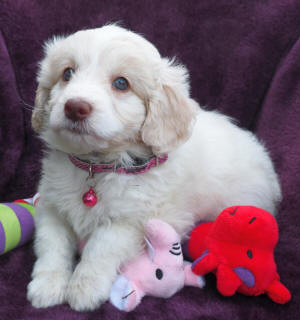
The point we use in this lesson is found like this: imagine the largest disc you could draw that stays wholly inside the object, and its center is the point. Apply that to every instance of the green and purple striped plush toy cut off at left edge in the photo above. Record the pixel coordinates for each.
(16, 223)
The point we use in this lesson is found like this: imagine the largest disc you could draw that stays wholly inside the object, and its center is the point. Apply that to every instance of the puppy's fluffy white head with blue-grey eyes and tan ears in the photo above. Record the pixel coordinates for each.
(109, 88)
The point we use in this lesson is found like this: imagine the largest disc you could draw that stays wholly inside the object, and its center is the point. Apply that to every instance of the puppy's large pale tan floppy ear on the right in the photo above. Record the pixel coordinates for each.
(170, 111)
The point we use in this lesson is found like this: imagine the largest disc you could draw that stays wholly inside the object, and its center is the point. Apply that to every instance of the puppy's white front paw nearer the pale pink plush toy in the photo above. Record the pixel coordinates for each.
(87, 291)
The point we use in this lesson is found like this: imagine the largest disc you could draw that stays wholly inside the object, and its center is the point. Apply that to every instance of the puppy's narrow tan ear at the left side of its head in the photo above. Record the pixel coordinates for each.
(41, 98)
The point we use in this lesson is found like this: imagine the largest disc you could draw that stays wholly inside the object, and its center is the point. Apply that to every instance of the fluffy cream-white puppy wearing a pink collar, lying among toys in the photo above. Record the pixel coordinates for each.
(106, 96)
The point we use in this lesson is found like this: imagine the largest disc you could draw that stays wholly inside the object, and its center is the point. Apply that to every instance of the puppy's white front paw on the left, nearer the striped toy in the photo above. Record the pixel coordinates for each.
(48, 288)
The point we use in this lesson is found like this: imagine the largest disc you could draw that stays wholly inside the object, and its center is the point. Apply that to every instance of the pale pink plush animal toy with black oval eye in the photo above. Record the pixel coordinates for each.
(160, 271)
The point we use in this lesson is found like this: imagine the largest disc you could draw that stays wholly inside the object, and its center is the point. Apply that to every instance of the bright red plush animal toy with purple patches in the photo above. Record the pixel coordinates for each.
(239, 248)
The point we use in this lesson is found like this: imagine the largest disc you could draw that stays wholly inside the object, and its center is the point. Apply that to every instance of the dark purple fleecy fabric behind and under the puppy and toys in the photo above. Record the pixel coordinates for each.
(244, 59)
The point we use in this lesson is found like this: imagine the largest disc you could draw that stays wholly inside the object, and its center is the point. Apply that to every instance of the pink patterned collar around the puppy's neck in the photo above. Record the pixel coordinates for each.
(112, 167)
